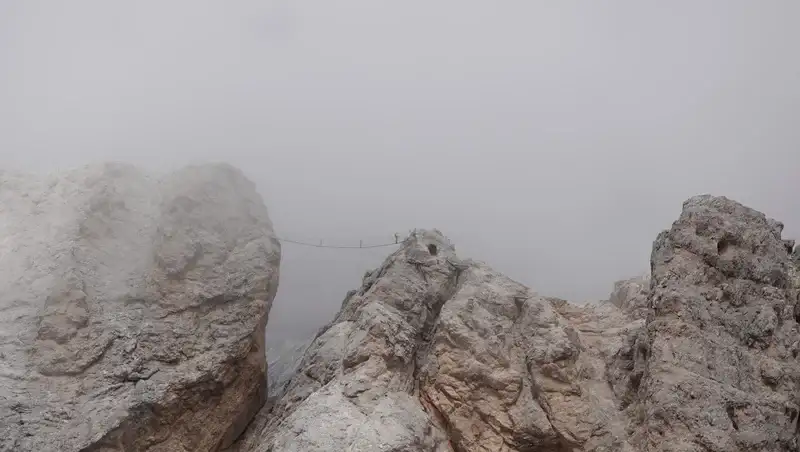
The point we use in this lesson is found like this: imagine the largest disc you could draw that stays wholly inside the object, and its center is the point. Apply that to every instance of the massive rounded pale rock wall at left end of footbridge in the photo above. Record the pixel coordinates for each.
(132, 309)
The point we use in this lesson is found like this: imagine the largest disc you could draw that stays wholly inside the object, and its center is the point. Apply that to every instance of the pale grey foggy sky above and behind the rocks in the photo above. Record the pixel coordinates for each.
(553, 140)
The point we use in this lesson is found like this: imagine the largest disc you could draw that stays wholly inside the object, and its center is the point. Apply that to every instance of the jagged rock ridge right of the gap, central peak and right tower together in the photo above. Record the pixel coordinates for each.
(438, 354)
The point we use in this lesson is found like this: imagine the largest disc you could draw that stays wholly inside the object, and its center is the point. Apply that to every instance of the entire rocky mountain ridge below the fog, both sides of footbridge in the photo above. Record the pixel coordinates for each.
(133, 310)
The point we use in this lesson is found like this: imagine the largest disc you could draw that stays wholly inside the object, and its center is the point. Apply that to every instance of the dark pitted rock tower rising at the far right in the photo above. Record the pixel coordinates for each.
(719, 352)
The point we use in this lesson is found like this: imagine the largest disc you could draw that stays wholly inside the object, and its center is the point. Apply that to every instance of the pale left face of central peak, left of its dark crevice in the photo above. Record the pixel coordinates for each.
(355, 389)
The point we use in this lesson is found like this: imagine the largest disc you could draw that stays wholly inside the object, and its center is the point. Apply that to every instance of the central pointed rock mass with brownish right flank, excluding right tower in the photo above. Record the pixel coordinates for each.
(434, 353)
